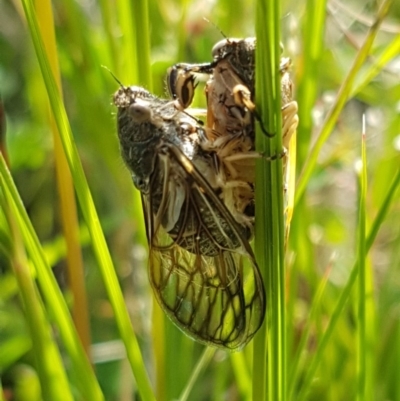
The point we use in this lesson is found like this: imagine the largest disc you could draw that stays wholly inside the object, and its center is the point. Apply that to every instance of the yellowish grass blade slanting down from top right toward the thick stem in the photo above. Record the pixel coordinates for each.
(340, 101)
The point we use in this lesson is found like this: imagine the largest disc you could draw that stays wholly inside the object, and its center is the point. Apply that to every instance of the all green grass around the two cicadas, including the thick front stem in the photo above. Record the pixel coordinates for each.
(70, 214)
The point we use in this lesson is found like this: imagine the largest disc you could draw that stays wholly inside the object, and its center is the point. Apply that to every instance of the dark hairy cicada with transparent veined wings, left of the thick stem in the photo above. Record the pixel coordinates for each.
(201, 266)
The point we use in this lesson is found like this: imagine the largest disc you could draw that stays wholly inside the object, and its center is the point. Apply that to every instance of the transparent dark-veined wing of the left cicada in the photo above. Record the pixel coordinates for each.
(213, 292)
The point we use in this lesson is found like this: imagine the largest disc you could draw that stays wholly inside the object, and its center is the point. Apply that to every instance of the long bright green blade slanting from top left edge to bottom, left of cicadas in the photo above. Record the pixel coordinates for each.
(89, 213)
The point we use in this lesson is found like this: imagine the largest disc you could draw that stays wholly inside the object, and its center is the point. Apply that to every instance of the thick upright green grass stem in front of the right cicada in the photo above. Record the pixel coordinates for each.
(269, 238)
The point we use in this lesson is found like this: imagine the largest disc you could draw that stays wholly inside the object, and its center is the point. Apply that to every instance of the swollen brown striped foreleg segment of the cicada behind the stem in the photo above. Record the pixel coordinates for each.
(181, 85)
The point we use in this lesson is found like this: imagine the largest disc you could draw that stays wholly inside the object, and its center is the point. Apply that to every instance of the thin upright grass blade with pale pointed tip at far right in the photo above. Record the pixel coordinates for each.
(361, 320)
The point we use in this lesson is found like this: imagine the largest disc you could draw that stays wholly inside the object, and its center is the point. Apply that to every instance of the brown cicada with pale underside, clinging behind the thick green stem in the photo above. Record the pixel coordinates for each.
(231, 115)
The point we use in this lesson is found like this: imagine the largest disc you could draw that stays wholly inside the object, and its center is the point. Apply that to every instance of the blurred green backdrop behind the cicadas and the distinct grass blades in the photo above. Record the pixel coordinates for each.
(323, 243)
